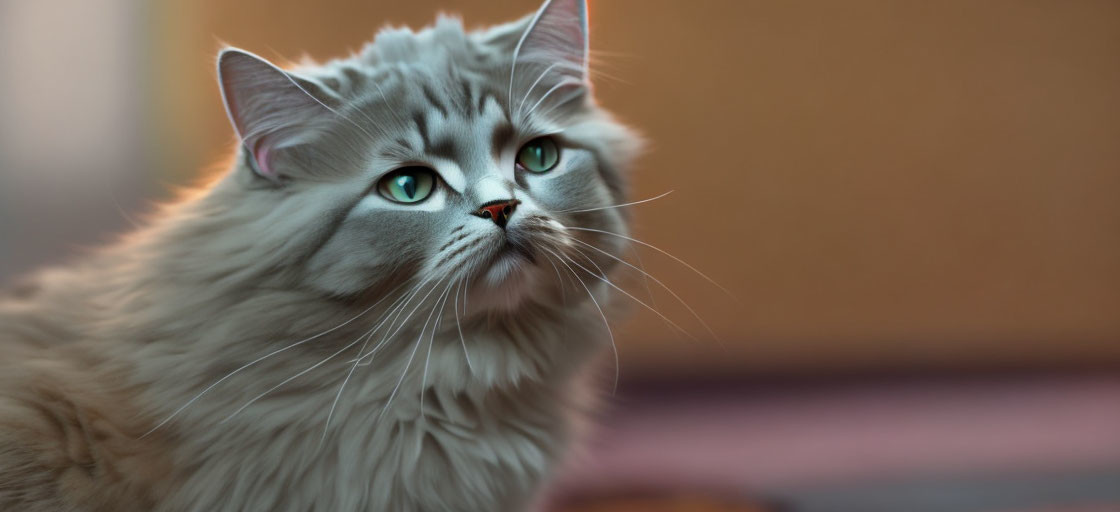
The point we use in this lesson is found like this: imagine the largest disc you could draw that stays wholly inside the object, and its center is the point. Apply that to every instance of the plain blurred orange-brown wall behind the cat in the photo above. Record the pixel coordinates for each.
(881, 183)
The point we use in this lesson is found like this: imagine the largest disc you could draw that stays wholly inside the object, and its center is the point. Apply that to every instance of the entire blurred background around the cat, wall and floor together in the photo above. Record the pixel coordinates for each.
(916, 207)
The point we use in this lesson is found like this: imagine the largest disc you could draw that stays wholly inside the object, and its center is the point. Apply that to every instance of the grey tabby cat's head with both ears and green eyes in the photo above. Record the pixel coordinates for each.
(437, 159)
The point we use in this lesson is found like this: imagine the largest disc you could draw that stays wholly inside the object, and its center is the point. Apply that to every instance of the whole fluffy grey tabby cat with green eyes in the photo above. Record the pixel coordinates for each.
(394, 301)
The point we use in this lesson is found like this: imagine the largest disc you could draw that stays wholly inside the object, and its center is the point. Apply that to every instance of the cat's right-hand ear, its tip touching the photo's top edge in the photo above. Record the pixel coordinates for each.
(557, 39)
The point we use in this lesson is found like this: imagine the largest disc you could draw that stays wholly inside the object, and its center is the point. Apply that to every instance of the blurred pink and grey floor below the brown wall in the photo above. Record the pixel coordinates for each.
(953, 444)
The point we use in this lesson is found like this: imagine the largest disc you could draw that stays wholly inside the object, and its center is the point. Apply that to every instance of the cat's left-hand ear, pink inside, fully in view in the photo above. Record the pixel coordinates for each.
(269, 108)
